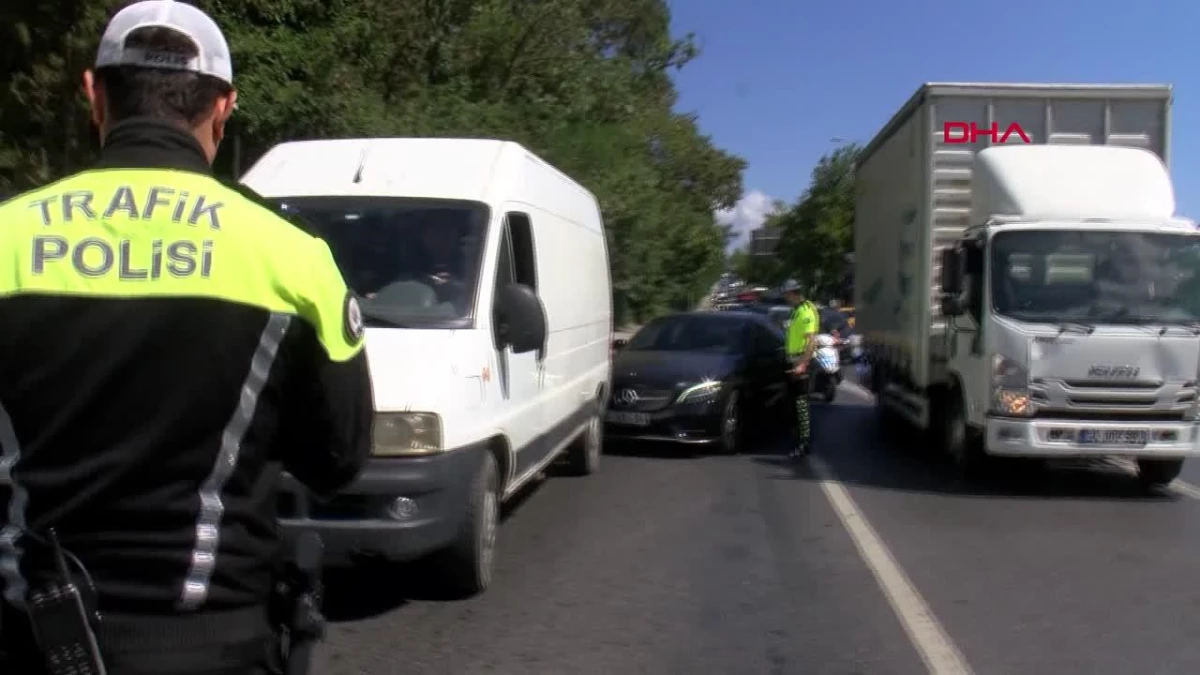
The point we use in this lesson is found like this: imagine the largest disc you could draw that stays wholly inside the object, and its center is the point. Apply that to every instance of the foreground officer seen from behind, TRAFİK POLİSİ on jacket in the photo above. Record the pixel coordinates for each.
(167, 343)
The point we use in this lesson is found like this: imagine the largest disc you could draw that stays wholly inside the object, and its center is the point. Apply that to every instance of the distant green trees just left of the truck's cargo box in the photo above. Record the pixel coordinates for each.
(817, 232)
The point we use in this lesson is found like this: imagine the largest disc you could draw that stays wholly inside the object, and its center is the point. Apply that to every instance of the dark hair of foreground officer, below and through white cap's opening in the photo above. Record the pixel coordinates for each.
(154, 93)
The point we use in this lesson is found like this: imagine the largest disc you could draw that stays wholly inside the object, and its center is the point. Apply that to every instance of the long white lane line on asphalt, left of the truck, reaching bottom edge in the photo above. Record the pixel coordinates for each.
(935, 647)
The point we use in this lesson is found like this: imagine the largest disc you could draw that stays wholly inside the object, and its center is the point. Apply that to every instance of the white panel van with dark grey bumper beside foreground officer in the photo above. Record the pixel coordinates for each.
(483, 278)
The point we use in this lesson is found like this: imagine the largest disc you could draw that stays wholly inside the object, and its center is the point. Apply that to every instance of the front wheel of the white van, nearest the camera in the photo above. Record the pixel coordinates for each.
(465, 569)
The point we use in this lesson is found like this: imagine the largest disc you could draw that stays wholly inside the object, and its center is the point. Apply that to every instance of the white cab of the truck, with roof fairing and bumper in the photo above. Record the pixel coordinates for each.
(1072, 308)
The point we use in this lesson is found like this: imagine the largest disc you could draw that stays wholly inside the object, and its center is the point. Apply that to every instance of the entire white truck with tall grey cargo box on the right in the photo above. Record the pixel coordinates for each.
(1024, 288)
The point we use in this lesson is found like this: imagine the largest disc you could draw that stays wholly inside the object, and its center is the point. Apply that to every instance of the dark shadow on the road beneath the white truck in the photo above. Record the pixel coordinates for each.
(854, 452)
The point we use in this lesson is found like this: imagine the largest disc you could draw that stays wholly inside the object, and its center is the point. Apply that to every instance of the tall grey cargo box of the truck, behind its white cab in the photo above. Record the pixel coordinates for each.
(915, 186)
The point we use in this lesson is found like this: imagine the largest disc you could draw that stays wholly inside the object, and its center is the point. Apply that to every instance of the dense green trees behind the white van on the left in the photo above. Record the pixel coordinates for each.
(585, 83)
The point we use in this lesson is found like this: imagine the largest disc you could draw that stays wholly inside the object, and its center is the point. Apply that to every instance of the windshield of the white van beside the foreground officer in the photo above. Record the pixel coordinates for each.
(413, 264)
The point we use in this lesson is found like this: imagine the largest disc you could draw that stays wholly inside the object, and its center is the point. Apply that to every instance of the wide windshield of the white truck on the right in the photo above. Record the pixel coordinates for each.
(1096, 277)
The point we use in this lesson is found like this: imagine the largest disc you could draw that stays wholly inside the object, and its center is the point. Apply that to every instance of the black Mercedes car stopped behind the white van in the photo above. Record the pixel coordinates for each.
(695, 378)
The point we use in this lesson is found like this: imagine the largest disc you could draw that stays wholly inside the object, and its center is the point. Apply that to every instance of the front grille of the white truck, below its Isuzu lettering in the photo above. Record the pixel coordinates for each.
(1087, 399)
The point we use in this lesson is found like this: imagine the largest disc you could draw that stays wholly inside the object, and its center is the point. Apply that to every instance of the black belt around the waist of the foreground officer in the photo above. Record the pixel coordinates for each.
(125, 632)
